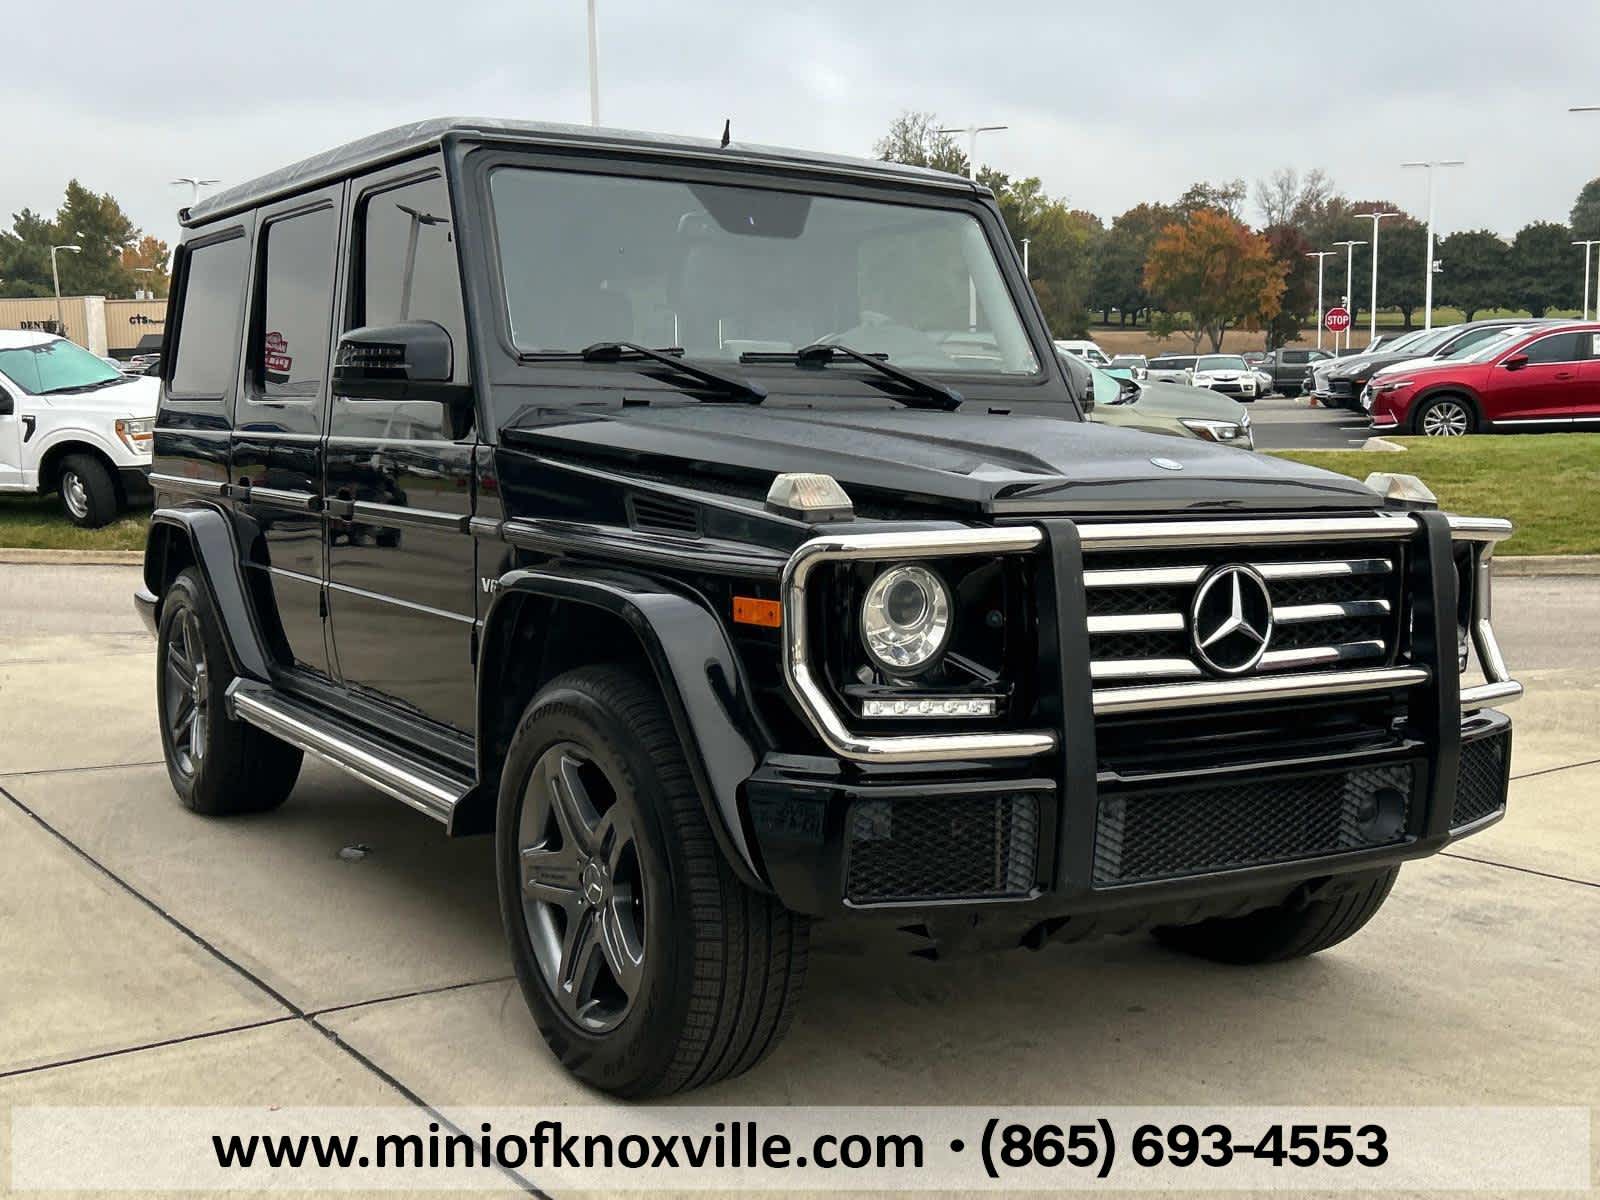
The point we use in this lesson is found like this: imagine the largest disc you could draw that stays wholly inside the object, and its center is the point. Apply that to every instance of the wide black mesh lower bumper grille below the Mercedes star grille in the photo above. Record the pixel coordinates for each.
(1185, 831)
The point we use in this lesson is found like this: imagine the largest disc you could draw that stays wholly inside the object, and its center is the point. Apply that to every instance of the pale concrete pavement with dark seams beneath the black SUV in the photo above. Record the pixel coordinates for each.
(158, 958)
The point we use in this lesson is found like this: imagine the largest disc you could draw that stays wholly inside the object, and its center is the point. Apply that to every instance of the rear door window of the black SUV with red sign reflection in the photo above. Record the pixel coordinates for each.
(289, 353)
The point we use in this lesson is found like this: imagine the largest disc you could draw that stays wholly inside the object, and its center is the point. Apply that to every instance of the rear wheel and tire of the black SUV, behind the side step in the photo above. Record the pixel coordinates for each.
(218, 766)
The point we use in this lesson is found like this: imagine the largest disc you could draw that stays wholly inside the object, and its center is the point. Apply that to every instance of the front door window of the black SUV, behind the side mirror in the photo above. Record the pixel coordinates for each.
(409, 263)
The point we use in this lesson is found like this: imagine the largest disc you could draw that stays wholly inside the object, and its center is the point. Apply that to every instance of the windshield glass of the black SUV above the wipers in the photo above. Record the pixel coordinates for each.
(727, 271)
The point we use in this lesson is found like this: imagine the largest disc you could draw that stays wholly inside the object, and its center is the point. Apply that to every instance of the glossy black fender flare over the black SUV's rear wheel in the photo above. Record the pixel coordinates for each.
(215, 551)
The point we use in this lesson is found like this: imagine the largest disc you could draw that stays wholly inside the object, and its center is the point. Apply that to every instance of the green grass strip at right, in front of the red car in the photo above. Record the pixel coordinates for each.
(1548, 484)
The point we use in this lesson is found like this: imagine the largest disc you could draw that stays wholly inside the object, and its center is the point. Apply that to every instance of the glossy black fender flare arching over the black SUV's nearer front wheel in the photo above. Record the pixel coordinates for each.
(694, 665)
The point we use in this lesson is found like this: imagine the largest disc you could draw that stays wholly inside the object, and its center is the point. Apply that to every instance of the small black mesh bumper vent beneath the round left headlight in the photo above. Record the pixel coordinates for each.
(938, 849)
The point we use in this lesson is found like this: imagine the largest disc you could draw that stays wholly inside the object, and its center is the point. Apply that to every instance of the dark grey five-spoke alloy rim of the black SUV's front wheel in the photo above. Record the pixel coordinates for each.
(583, 887)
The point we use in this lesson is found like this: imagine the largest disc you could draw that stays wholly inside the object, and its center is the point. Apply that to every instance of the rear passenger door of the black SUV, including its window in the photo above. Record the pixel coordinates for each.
(282, 404)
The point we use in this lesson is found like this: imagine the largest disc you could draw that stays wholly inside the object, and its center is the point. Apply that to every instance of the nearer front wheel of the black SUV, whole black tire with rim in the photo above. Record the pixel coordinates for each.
(719, 967)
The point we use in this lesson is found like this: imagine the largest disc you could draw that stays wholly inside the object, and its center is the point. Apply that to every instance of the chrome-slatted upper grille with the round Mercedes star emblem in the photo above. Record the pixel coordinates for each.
(1332, 609)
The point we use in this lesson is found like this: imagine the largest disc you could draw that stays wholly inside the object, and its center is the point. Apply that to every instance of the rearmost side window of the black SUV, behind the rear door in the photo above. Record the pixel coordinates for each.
(209, 319)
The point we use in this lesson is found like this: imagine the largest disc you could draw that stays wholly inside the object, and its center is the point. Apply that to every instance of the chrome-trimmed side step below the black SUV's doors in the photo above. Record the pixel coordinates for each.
(414, 783)
